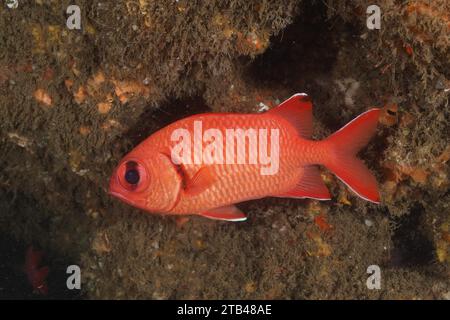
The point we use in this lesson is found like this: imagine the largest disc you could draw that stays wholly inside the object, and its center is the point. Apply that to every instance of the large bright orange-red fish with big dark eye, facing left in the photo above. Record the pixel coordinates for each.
(204, 164)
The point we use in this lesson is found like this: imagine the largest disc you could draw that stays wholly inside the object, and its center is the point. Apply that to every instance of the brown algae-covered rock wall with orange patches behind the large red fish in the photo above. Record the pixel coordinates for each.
(73, 102)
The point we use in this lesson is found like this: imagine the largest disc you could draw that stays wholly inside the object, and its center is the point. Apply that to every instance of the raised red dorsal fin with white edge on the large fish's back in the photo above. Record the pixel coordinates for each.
(298, 111)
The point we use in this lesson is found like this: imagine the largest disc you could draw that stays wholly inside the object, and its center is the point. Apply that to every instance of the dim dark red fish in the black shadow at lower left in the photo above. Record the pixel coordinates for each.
(36, 274)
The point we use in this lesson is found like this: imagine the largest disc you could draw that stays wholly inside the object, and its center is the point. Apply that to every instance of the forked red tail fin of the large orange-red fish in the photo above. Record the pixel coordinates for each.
(344, 145)
